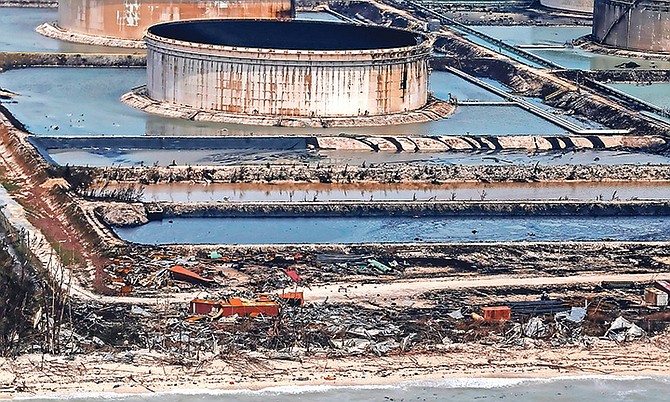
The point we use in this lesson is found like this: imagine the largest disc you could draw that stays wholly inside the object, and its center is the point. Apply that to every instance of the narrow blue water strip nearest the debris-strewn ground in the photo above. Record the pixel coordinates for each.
(394, 229)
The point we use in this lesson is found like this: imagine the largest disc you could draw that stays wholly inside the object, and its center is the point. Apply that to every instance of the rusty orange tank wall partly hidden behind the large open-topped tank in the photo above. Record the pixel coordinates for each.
(129, 19)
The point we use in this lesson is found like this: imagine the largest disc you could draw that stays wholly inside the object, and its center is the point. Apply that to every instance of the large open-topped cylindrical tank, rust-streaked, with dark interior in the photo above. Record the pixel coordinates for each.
(287, 68)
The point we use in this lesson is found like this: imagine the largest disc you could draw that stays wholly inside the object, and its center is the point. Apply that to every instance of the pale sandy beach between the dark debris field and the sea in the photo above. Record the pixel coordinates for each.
(472, 366)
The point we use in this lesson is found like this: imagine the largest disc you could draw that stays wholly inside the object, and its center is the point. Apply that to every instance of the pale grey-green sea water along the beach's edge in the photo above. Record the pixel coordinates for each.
(597, 388)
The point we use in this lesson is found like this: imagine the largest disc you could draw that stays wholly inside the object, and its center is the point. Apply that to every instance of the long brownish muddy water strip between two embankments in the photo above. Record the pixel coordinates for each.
(258, 192)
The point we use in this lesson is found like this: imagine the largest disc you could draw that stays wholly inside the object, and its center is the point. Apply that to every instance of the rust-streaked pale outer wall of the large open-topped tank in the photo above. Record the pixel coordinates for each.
(288, 82)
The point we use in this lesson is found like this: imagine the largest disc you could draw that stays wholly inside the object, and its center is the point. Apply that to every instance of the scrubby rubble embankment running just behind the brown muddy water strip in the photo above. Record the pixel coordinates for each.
(380, 173)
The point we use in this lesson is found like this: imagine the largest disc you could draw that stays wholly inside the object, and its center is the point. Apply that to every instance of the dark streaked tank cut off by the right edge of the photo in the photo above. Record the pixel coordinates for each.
(642, 25)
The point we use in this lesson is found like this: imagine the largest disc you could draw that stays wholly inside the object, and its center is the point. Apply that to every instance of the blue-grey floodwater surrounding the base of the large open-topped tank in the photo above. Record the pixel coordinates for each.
(85, 101)
